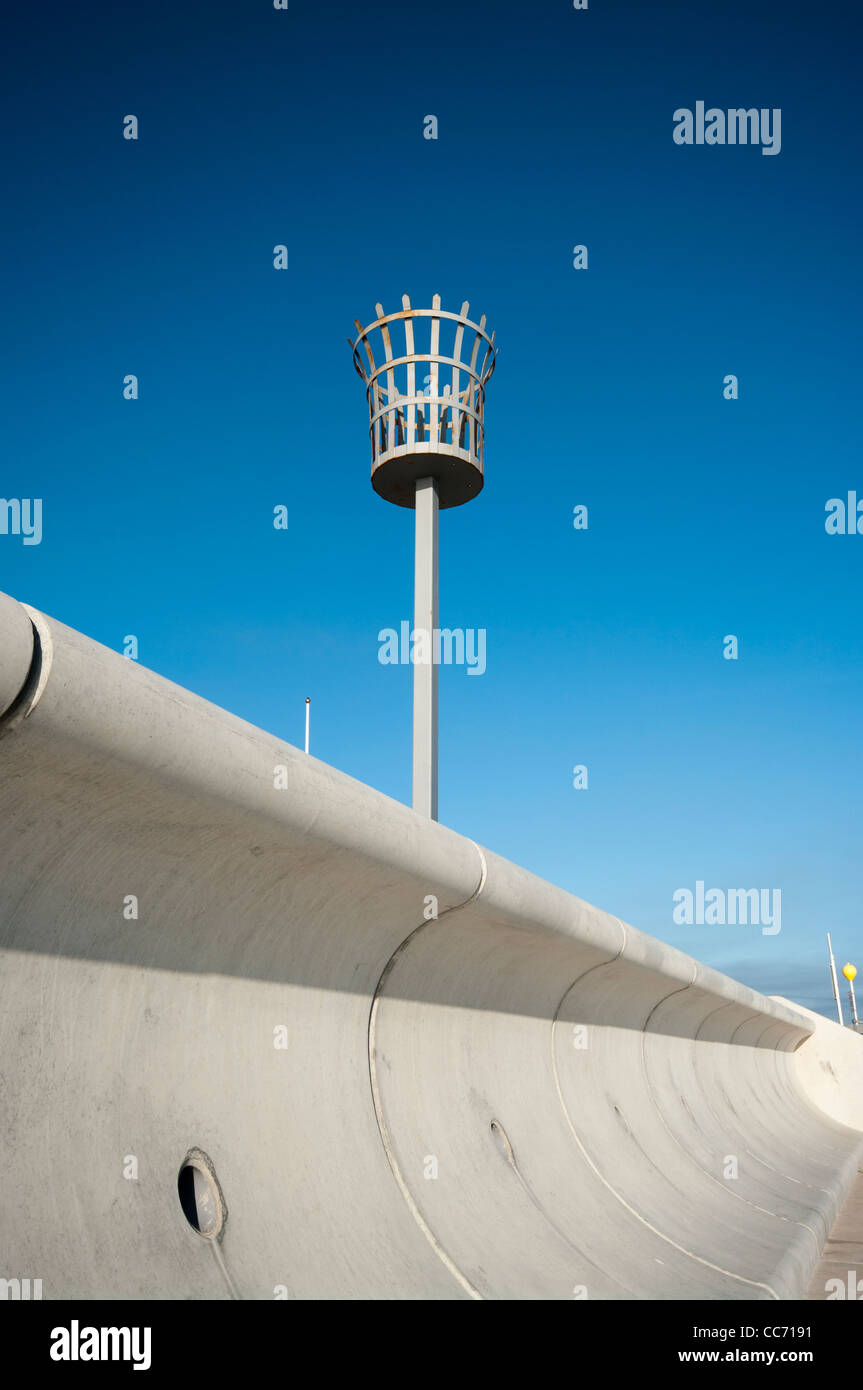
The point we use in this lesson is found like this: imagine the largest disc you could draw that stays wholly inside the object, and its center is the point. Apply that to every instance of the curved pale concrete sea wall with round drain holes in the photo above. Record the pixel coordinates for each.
(519, 1099)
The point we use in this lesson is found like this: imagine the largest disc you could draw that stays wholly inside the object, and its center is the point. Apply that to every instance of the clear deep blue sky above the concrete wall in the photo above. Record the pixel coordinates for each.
(707, 516)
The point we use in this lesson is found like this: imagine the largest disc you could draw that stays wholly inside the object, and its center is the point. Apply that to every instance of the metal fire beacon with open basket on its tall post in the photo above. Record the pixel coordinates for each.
(426, 412)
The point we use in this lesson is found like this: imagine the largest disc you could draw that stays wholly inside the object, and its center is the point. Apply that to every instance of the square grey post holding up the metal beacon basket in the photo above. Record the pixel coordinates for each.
(426, 672)
